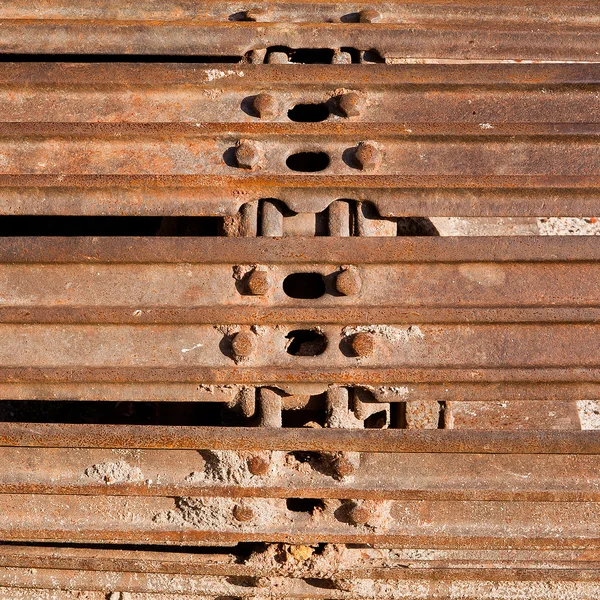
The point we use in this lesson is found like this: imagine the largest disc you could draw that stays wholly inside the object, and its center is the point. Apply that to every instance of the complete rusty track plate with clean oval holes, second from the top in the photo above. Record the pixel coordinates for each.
(160, 139)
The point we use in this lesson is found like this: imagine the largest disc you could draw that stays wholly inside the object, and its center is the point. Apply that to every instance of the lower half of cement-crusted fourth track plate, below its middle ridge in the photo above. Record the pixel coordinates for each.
(187, 521)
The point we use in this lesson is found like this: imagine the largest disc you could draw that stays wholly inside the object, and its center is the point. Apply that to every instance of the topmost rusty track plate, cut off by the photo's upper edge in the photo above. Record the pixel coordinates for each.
(418, 30)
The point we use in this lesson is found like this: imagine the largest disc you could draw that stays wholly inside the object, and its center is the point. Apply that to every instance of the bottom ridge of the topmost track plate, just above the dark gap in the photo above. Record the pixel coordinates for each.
(421, 38)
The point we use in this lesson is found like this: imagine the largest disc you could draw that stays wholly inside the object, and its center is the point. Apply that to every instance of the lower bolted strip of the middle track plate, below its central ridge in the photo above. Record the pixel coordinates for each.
(204, 353)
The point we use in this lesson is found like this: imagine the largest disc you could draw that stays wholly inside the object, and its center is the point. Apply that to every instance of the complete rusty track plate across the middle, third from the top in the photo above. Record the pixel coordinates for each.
(124, 314)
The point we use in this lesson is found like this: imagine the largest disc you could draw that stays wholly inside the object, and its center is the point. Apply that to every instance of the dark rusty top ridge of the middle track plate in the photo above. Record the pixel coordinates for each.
(298, 251)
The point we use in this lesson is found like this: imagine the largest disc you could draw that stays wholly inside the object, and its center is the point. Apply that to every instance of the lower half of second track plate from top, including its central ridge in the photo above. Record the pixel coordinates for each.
(66, 168)
